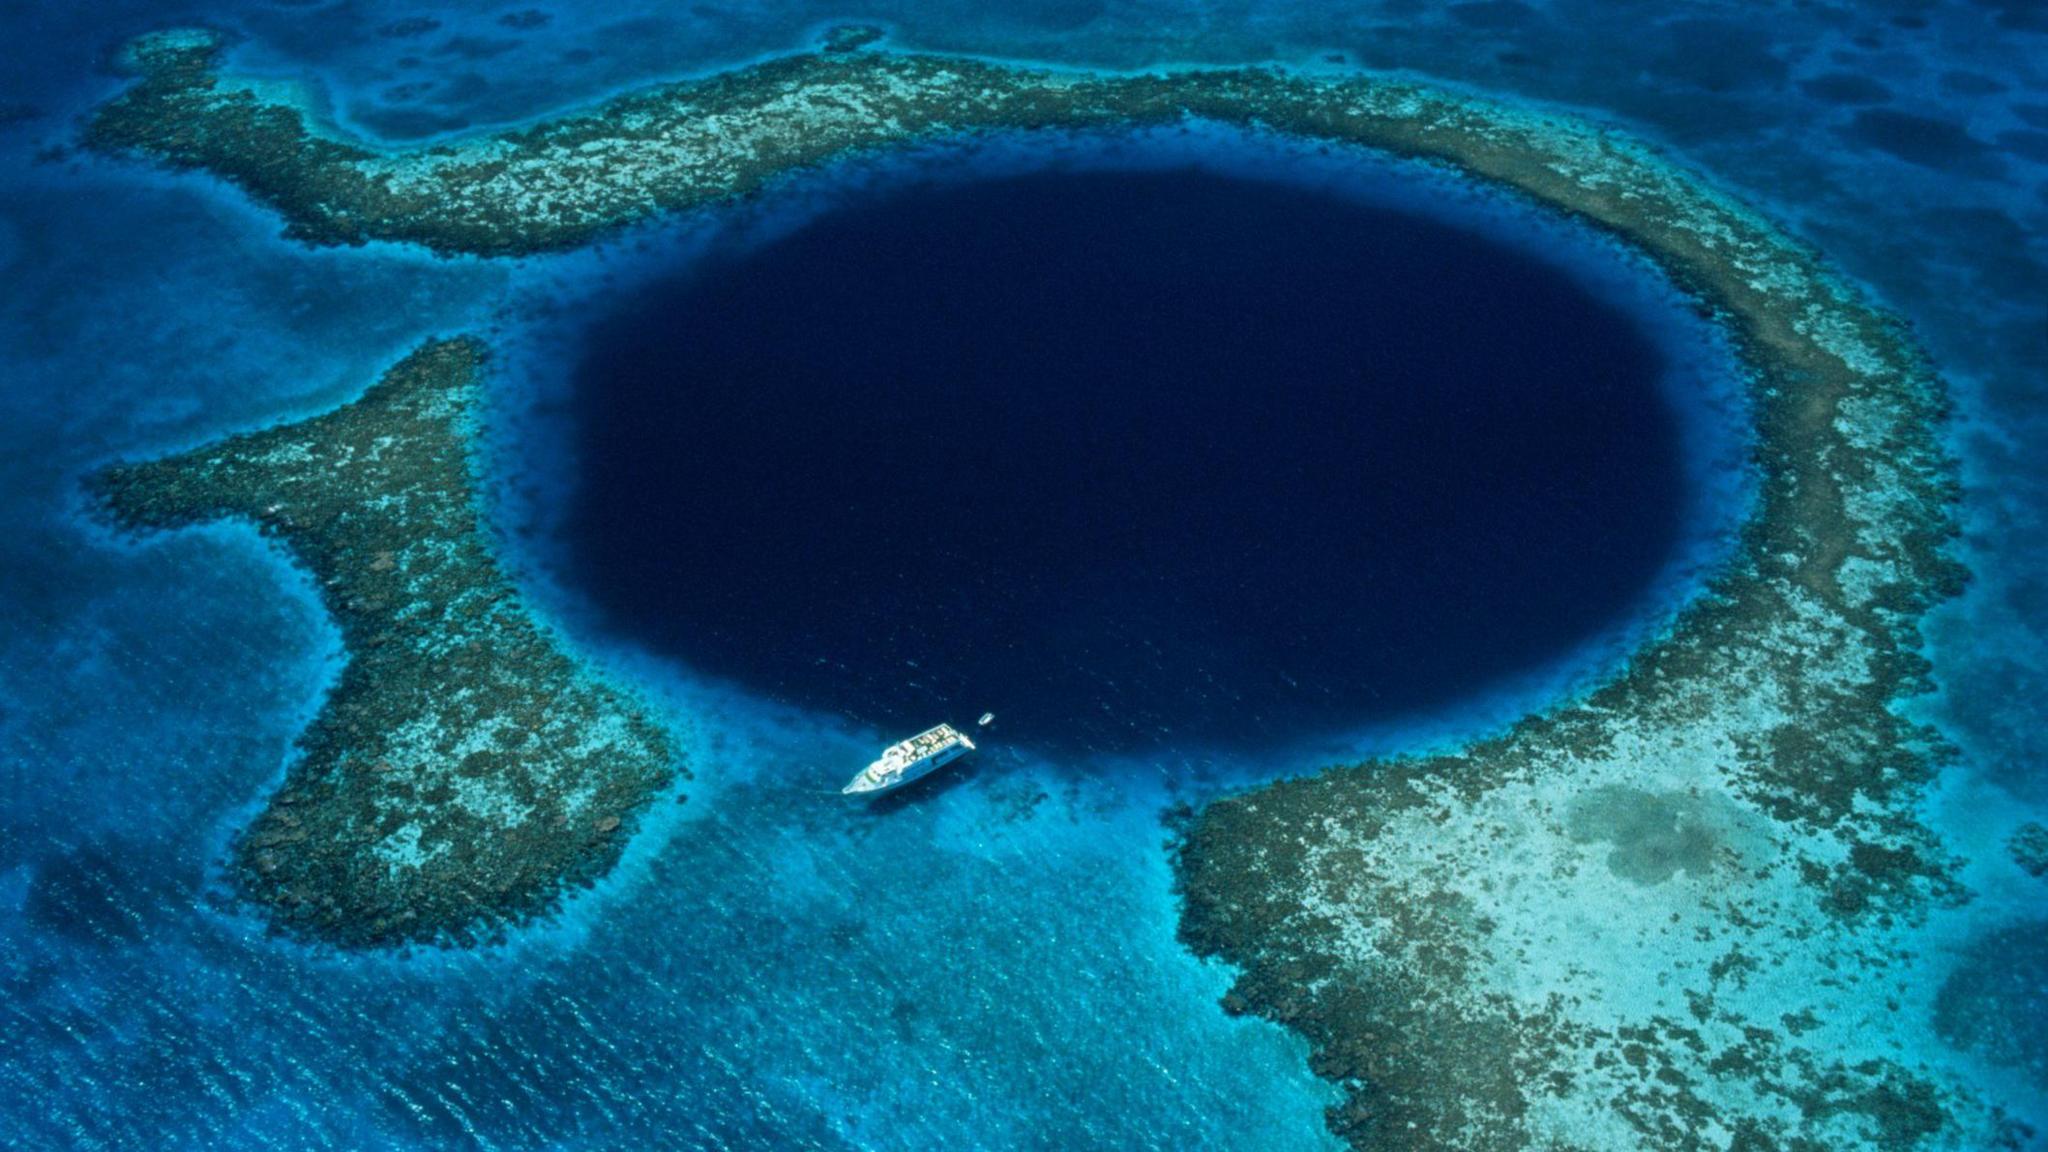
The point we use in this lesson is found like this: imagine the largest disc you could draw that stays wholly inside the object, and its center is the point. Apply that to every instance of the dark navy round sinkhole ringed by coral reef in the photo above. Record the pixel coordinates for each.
(1134, 460)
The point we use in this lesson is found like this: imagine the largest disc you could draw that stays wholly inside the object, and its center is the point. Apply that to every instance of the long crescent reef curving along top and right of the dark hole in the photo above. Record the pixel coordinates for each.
(1672, 913)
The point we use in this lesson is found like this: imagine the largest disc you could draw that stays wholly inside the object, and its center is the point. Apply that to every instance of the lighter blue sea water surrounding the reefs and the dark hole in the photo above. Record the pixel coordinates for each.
(728, 989)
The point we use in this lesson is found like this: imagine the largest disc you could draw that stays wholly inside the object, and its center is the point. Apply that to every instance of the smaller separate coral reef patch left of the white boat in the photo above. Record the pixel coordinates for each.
(464, 770)
